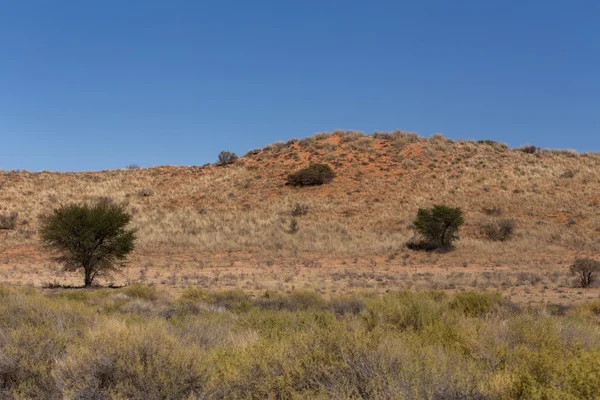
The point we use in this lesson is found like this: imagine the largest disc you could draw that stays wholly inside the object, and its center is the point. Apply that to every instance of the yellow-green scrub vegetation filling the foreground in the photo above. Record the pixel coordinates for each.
(135, 343)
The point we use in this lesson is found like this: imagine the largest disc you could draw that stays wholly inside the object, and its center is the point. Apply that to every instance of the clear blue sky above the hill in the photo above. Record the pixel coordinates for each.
(87, 85)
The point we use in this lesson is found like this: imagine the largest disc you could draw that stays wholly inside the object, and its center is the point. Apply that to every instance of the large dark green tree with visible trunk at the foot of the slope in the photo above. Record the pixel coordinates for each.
(91, 238)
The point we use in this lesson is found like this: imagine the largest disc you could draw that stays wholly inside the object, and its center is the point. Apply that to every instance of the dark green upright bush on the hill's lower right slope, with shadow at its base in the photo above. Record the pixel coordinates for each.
(437, 226)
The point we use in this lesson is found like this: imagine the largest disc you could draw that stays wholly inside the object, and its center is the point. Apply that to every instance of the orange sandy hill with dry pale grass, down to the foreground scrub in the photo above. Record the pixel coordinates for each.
(231, 225)
